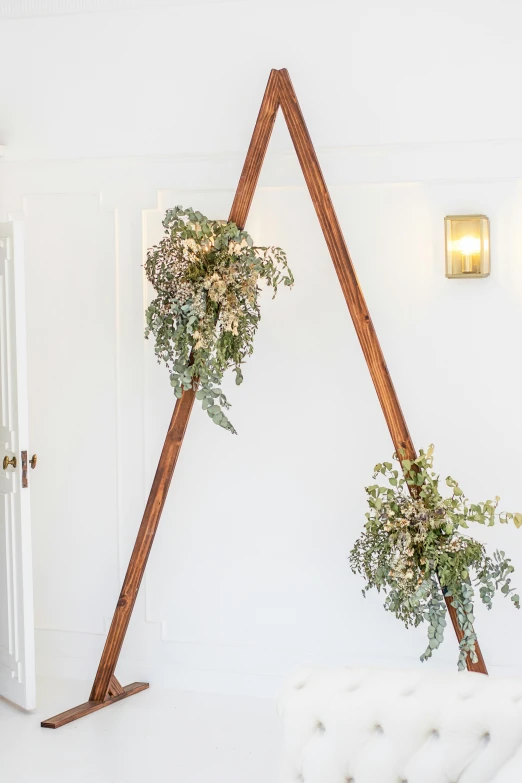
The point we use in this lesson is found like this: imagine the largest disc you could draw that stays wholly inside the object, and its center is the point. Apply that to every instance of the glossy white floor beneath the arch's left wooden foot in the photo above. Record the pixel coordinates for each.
(157, 736)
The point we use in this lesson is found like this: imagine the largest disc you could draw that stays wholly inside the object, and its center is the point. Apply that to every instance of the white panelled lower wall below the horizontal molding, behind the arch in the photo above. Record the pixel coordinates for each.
(249, 576)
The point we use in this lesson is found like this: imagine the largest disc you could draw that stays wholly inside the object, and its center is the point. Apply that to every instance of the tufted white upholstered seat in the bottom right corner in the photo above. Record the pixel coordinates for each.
(394, 726)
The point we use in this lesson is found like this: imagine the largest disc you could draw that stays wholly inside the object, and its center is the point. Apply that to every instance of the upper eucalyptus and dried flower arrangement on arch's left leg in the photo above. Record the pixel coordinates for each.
(206, 274)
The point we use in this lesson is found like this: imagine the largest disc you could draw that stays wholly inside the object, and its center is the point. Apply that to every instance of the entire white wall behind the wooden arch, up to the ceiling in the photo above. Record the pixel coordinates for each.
(414, 114)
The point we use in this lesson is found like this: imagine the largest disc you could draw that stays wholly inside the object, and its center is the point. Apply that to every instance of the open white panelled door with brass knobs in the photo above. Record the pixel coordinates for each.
(17, 665)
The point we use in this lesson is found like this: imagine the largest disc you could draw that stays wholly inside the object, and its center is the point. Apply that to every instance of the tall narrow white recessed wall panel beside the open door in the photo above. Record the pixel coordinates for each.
(72, 326)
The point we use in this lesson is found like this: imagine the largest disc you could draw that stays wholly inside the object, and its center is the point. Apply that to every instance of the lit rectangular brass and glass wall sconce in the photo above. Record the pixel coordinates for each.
(467, 246)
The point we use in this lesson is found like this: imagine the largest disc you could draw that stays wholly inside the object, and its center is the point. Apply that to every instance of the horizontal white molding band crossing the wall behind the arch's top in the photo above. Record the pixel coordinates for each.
(452, 162)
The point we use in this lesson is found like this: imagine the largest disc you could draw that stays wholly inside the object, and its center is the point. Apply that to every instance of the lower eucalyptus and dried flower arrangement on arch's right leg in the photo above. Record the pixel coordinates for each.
(414, 549)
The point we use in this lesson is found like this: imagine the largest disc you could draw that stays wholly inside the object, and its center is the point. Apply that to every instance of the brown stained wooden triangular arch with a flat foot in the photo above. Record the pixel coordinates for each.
(279, 93)
